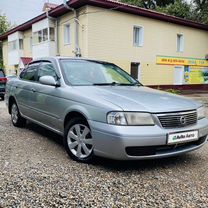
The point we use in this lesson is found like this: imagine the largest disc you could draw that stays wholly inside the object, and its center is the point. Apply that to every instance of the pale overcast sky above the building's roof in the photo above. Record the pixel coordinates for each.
(20, 11)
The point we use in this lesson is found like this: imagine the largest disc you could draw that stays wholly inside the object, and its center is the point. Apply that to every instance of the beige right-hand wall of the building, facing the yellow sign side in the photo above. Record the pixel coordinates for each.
(110, 37)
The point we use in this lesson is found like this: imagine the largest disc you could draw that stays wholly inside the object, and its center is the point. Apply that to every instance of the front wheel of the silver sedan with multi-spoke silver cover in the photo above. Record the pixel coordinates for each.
(83, 125)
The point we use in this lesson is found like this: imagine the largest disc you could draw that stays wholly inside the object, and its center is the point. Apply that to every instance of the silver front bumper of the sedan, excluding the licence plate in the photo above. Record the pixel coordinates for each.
(142, 142)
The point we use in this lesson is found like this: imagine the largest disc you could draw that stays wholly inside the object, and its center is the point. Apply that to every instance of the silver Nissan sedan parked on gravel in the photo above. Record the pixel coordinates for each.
(101, 110)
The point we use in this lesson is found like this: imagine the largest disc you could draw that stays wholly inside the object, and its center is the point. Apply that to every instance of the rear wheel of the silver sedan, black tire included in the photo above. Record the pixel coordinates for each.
(17, 119)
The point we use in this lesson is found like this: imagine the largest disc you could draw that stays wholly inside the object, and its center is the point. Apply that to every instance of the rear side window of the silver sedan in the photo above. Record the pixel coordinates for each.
(30, 73)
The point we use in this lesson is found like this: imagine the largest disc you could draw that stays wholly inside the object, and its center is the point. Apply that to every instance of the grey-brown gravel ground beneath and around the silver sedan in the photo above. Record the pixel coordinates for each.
(35, 171)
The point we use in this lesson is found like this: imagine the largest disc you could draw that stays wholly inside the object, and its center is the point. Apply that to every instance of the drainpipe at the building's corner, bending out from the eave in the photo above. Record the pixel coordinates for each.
(77, 50)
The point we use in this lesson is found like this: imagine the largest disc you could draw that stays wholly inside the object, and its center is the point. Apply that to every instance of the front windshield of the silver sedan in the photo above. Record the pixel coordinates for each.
(86, 72)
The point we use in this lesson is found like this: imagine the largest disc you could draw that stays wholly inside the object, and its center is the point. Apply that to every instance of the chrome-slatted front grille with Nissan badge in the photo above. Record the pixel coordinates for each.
(178, 120)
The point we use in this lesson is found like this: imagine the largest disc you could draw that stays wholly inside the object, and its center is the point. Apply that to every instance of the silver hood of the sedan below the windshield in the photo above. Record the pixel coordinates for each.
(133, 98)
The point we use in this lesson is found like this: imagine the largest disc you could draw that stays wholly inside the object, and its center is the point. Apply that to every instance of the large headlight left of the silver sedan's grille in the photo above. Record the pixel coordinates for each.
(131, 119)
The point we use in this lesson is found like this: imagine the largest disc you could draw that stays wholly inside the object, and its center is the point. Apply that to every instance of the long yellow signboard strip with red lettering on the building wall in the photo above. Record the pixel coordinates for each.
(168, 60)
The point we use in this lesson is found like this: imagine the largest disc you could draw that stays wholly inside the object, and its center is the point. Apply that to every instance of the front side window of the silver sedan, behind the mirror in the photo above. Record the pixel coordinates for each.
(47, 69)
